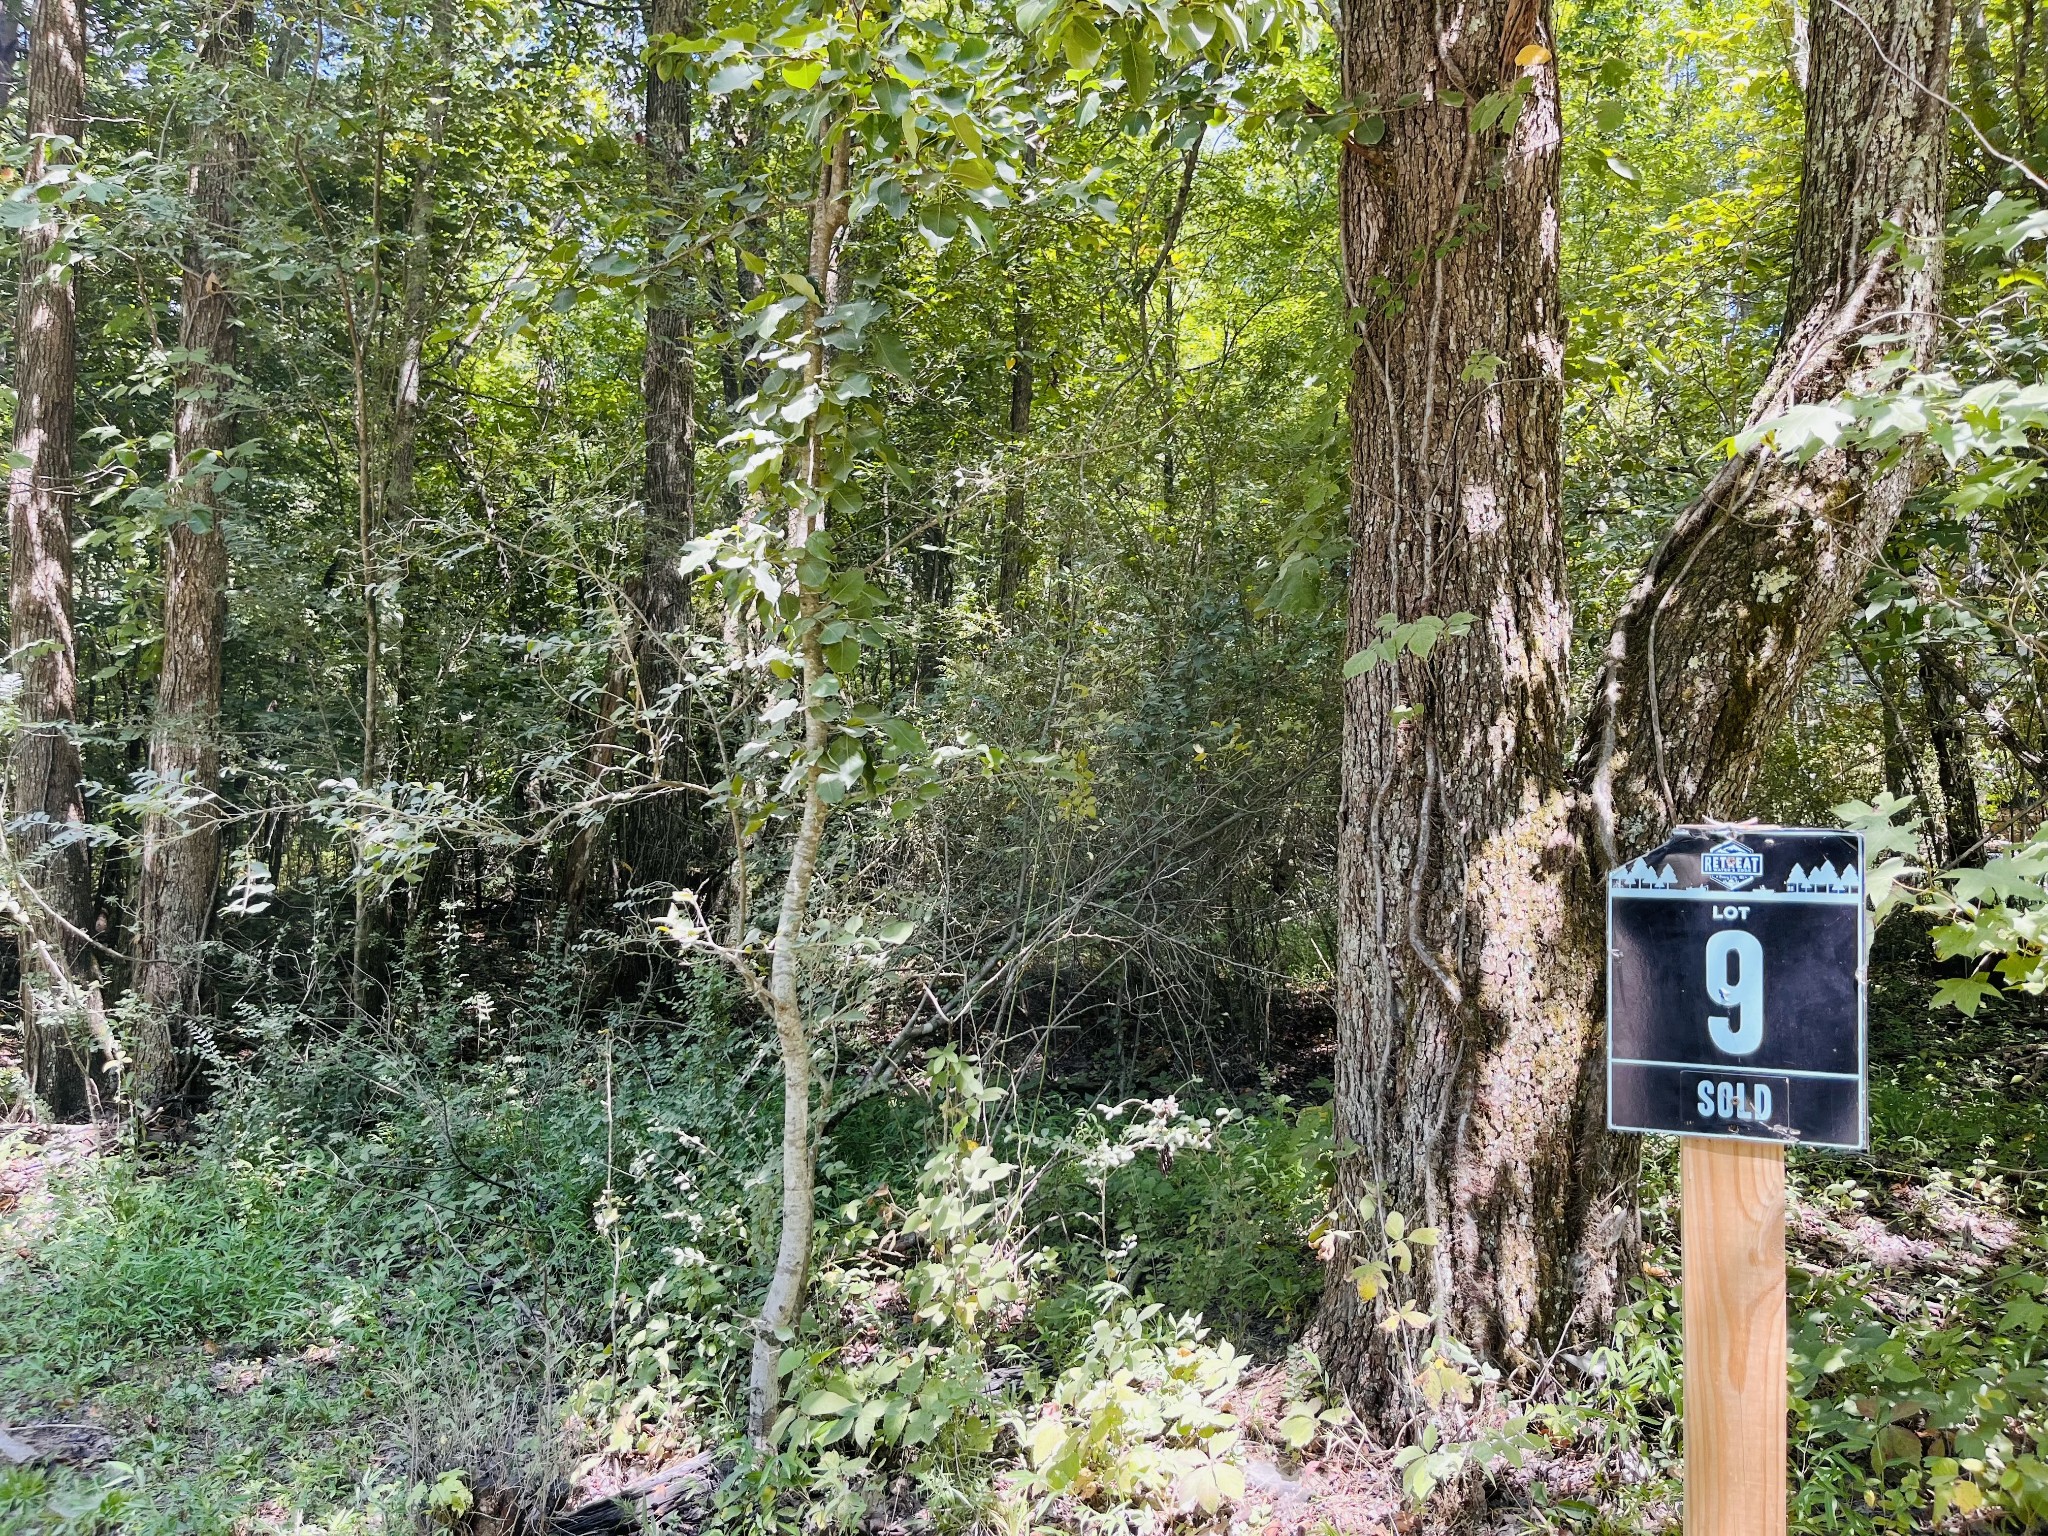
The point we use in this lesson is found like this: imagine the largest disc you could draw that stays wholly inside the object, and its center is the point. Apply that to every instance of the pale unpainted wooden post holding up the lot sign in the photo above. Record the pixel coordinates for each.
(1734, 1211)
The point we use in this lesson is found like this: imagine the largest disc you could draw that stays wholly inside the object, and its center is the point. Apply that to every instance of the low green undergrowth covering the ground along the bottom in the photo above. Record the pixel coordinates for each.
(493, 1275)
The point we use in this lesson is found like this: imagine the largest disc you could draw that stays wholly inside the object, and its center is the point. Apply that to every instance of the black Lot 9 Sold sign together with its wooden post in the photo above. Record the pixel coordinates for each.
(1736, 1021)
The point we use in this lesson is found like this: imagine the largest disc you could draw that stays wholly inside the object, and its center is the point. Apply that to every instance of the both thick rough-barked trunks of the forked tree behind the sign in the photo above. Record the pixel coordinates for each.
(1469, 865)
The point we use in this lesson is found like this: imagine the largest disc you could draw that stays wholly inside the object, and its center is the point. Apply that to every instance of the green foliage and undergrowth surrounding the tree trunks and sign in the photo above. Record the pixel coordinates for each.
(1015, 568)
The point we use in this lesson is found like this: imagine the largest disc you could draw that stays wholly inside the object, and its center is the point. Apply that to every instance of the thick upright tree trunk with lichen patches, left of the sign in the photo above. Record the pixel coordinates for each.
(1453, 761)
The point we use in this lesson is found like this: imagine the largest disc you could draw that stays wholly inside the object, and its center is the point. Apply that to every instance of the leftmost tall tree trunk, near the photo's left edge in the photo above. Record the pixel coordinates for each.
(56, 992)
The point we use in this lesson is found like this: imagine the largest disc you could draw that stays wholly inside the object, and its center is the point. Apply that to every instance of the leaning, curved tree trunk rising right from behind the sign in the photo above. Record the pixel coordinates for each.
(1756, 577)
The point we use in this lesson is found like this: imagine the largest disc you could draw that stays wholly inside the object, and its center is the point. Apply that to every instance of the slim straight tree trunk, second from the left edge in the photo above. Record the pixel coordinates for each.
(183, 851)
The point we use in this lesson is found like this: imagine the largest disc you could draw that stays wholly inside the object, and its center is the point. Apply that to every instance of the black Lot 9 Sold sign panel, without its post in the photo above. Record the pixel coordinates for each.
(1736, 988)
